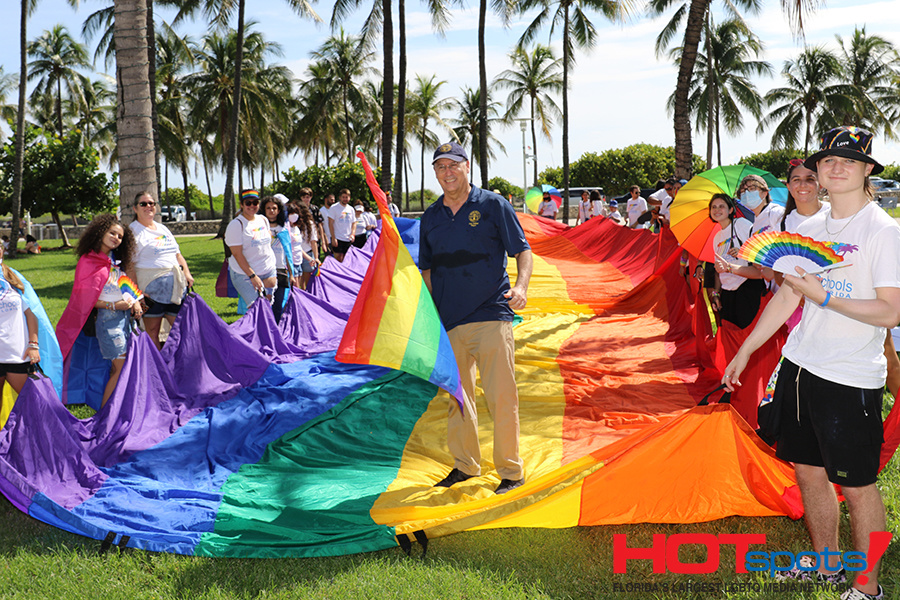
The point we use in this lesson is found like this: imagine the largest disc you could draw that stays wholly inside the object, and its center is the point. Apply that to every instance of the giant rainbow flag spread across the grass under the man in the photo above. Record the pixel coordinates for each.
(250, 440)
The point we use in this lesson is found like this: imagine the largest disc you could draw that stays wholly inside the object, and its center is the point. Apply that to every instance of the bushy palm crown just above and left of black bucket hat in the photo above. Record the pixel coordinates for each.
(806, 105)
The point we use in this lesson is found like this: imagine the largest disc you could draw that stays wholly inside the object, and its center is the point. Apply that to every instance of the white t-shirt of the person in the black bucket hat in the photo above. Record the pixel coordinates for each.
(826, 343)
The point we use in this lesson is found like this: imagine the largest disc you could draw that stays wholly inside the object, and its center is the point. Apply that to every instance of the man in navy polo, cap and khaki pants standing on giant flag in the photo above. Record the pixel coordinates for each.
(466, 236)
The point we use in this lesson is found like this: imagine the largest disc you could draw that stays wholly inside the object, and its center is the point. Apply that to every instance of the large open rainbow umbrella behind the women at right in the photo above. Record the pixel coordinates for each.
(689, 213)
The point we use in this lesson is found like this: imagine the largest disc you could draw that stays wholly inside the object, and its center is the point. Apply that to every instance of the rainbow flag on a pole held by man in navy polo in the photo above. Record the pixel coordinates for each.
(394, 322)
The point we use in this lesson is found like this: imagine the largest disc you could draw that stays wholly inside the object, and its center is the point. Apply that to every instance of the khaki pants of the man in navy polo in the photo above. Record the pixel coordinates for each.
(490, 345)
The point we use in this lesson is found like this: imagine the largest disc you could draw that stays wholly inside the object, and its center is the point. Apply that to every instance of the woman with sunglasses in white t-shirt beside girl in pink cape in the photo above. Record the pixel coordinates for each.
(159, 268)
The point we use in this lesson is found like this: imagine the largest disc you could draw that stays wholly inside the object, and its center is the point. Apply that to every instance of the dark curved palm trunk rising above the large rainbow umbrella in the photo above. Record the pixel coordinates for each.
(683, 147)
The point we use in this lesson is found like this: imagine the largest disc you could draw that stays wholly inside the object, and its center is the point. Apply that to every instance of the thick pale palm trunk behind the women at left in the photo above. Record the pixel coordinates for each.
(134, 123)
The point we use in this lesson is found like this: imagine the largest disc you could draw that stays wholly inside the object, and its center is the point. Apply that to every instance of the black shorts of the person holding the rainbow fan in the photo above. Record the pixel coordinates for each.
(839, 426)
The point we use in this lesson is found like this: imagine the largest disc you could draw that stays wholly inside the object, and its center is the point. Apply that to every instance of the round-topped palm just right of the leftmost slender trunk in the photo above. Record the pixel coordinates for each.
(57, 56)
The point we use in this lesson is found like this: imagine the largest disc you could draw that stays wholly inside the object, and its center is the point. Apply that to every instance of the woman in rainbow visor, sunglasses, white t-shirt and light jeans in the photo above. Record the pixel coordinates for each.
(252, 261)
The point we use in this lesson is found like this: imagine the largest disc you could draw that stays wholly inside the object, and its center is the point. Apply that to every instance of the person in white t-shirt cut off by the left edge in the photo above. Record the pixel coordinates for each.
(19, 348)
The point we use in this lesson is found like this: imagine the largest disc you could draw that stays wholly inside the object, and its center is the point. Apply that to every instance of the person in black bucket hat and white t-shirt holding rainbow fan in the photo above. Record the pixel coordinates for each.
(832, 378)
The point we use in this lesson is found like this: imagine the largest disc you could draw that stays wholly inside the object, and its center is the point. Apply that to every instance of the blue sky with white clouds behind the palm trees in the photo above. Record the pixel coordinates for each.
(618, 90)
